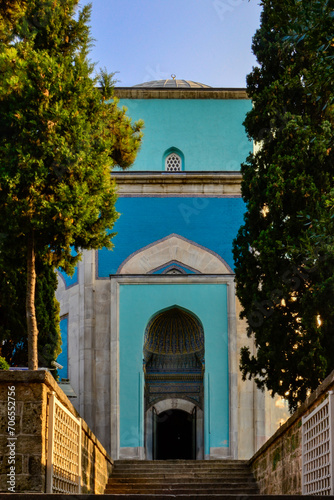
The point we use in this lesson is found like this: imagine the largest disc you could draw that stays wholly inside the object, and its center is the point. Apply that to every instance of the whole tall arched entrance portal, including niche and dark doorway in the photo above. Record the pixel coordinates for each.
(174, 393)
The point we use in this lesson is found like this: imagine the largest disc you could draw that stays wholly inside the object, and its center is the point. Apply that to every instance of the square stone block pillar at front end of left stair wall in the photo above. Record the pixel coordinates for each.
(27, 444)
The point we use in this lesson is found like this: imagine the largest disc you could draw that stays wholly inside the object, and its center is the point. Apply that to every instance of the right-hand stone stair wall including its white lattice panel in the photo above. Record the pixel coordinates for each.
(278, 464)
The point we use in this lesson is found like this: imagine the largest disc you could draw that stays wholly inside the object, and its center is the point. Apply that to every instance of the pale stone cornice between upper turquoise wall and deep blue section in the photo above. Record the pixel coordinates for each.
(178, 184)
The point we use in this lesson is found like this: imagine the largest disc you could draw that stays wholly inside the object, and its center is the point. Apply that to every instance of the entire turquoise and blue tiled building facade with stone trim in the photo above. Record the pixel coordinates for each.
(172, 260)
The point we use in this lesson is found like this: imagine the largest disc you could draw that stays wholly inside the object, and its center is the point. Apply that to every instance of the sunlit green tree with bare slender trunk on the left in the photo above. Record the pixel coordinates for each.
(60, 136)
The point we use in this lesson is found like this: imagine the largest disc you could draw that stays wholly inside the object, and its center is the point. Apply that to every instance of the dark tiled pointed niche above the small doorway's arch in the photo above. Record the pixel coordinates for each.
(174, 356)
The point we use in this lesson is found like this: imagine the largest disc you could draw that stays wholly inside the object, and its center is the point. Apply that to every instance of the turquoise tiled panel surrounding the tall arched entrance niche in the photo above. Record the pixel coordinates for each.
(137, 304)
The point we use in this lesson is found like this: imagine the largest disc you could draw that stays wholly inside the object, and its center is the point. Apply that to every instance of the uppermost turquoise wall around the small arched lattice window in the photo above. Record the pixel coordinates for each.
(209, 132)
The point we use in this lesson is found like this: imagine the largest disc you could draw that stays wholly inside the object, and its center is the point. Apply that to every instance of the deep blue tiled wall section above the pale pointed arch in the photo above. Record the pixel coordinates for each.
(210, 222)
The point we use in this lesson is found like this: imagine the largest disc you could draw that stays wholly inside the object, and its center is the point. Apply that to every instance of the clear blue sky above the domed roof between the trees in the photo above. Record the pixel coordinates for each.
(207, 41)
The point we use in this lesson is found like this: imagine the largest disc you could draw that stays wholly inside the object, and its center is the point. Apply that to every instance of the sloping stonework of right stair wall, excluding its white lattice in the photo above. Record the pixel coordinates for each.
(277, 466)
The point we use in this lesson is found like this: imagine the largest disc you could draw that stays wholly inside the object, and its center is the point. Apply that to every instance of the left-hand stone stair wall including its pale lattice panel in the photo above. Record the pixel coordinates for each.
(44, 444)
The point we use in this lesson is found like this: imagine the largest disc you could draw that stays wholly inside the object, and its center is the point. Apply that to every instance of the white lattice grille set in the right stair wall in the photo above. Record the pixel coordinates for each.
(317, 449)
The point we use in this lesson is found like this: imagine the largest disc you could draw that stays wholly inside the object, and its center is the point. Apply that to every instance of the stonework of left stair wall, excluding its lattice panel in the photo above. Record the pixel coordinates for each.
(23, 437)
